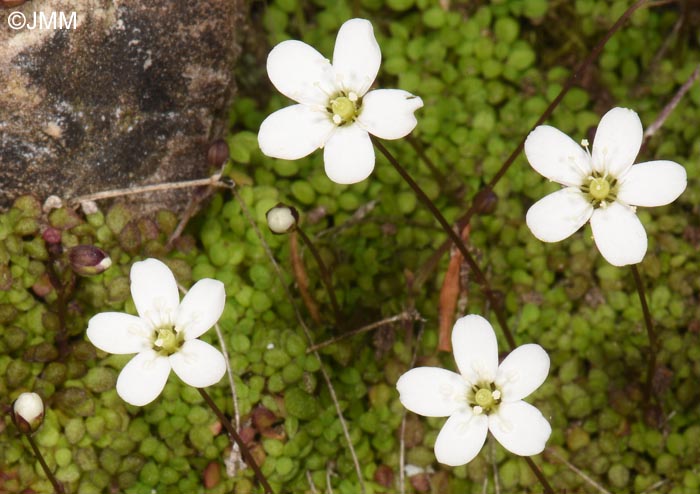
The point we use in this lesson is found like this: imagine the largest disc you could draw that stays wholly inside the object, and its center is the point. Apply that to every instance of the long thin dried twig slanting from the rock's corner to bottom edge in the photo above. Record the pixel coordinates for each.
(307, 332)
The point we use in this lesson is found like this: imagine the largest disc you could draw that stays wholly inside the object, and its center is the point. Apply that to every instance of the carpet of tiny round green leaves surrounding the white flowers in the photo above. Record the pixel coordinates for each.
(486, 71)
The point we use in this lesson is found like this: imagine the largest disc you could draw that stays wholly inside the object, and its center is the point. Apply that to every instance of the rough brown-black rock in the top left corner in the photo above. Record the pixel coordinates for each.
(132, 95)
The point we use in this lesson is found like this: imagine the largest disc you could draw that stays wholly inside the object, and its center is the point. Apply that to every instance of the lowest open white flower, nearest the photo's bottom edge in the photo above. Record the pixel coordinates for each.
(484, 397)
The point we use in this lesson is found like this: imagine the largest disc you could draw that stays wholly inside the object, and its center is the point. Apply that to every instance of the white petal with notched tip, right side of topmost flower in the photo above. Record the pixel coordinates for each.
(388, 113)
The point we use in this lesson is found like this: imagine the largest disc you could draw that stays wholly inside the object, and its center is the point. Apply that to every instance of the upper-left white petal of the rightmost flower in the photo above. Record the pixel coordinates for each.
(556, 156)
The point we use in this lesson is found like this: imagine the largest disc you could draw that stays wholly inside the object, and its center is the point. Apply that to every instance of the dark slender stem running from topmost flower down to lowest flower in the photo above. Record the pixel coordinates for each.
(456, 239)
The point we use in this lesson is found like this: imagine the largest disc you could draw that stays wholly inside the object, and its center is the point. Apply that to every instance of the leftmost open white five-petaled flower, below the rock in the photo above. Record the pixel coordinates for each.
(164, 334)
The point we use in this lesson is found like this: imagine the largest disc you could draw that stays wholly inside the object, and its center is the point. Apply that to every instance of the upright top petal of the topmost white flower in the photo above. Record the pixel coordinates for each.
(356, 57)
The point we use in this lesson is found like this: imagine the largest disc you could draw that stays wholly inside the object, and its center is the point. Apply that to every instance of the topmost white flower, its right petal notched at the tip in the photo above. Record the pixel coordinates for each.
(335, 112)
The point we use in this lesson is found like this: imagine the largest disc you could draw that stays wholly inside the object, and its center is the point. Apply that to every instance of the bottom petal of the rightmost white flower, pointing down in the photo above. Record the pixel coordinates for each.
(619, 234)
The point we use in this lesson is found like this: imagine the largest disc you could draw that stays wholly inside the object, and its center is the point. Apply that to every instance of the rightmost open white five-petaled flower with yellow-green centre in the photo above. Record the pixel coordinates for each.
(602, 186)
